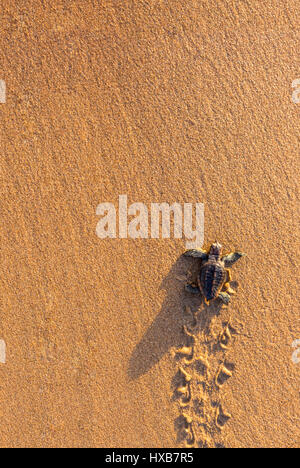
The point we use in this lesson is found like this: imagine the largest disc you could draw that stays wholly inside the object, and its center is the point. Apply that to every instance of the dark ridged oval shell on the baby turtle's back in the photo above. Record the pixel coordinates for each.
(211, 279)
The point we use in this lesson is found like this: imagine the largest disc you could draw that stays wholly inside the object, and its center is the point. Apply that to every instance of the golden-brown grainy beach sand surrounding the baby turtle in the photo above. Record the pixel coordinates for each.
(165, 101)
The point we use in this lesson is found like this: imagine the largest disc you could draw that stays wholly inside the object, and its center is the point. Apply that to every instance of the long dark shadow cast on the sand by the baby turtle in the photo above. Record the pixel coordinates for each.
(166, 331)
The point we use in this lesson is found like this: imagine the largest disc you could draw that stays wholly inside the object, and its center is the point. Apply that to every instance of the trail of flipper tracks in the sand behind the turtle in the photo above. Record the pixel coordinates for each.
(202, 372)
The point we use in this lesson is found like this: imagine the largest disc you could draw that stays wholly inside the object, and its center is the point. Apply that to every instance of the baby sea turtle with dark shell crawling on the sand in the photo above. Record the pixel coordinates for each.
(214, 273)
